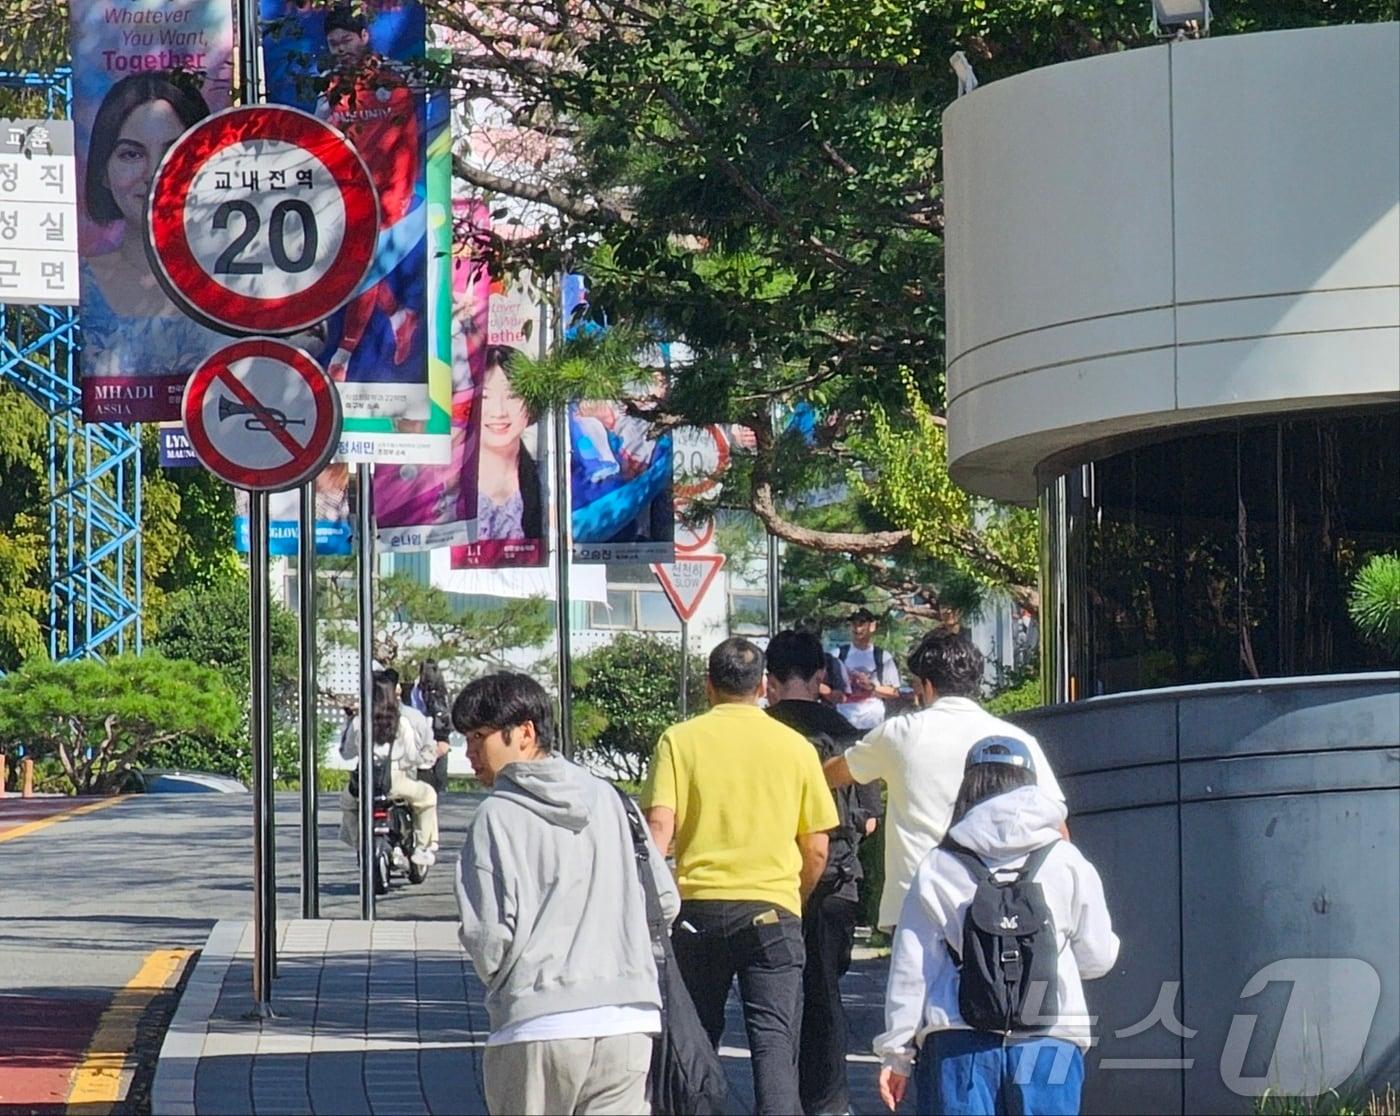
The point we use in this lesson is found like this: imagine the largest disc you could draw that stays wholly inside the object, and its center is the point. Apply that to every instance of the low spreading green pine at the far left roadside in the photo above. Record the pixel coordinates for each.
(100, 719)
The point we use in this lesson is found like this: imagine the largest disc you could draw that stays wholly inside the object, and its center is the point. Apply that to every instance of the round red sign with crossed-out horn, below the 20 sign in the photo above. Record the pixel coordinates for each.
(262, 415)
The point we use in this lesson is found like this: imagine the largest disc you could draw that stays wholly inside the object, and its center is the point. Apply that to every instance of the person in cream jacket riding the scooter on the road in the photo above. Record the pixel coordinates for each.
(405, 740)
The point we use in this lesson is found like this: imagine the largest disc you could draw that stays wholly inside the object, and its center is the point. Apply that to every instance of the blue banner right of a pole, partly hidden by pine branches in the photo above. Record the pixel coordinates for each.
(621, 471)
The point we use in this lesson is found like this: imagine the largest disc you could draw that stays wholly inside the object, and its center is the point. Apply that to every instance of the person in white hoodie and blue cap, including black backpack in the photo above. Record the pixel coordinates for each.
(1003, 925)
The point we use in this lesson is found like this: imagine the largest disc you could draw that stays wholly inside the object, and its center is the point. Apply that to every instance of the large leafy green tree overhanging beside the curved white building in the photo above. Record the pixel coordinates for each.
(761, 179)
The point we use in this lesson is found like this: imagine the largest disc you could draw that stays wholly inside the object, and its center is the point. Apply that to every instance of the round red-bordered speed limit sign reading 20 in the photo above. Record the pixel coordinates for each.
(262, 221)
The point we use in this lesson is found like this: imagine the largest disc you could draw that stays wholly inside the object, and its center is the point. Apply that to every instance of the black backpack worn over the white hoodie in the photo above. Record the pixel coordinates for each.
(1009, 971)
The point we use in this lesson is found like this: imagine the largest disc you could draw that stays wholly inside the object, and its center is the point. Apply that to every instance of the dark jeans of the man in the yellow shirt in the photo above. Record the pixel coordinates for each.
(717, 940)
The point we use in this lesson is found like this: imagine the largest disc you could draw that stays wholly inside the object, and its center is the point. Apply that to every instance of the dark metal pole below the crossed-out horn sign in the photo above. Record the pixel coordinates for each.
(265, 912)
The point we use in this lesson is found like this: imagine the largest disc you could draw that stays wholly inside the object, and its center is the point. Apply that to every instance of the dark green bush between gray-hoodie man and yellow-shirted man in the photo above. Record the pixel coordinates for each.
(626, 695)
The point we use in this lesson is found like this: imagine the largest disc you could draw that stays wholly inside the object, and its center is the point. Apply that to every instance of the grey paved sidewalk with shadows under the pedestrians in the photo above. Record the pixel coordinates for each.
(380, 1017)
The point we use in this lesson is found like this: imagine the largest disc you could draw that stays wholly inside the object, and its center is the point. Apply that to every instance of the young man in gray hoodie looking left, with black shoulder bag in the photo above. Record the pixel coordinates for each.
(554, 916)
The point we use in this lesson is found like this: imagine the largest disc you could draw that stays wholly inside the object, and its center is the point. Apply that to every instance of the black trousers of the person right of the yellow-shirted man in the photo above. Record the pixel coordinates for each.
(828, 929)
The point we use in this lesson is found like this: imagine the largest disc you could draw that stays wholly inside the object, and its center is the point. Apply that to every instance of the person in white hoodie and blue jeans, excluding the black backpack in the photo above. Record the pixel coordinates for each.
(1003, 820)
